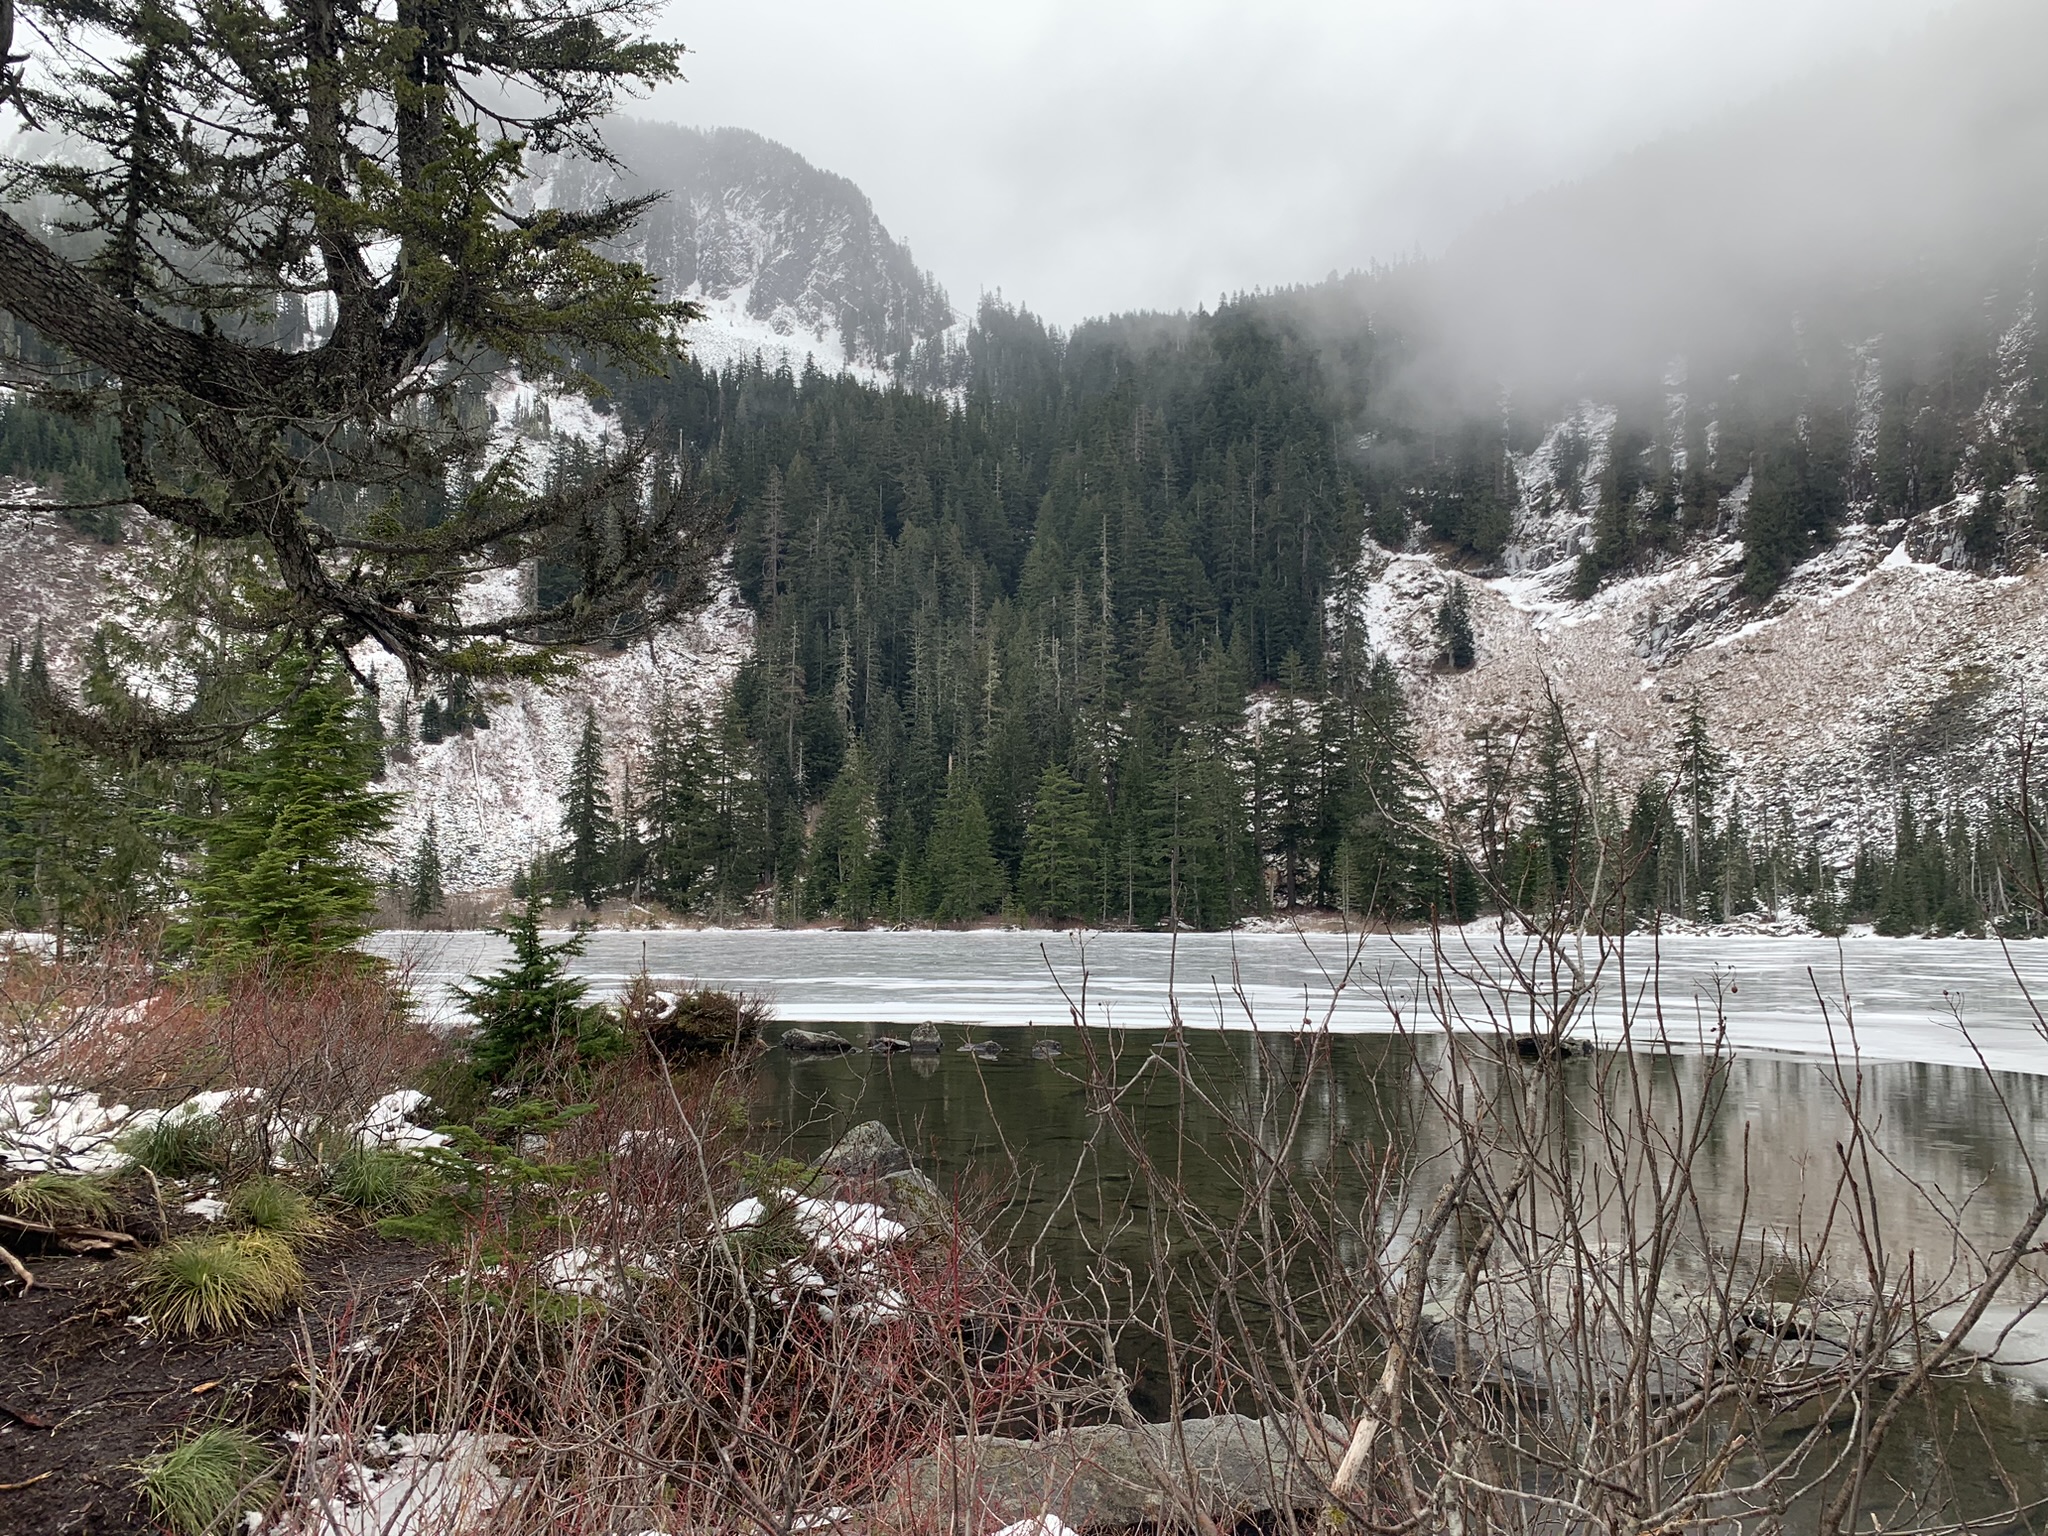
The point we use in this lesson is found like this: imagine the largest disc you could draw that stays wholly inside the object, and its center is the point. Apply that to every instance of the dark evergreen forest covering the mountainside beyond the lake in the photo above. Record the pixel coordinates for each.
(1084, 642)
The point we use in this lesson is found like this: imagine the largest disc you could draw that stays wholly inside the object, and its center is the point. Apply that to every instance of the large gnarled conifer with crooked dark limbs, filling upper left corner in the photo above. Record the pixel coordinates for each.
(210, 155)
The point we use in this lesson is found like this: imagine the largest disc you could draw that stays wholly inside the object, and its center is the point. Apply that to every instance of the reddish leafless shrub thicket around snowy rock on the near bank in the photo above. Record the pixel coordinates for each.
(660, 1367)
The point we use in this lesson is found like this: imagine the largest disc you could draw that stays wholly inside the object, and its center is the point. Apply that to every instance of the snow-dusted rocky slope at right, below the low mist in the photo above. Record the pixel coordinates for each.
(1873, 669)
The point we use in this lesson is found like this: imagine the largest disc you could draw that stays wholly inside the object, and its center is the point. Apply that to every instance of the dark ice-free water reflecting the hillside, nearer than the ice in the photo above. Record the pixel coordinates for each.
(1947, 1170)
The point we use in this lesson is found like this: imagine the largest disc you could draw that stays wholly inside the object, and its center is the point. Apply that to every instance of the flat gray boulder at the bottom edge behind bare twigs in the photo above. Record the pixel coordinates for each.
(1232, 1467)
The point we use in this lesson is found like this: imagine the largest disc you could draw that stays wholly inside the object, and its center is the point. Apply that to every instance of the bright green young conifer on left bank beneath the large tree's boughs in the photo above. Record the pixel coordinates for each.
(286, 863)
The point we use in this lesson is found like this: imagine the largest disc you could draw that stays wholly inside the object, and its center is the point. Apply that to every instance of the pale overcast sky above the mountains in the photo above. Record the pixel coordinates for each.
(1109, 155)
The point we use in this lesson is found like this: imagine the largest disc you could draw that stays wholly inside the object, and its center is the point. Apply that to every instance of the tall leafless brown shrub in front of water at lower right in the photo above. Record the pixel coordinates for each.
(1519, 1295)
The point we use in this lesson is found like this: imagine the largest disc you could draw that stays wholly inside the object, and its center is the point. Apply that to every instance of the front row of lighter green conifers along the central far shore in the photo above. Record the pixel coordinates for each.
(1211, 812)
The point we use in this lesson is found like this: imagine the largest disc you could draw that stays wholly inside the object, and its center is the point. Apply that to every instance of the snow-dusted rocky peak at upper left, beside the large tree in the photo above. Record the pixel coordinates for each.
(790, 261)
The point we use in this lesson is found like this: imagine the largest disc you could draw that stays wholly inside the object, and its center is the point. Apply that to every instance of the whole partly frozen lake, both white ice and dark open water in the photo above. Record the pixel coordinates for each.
(1934, 1039)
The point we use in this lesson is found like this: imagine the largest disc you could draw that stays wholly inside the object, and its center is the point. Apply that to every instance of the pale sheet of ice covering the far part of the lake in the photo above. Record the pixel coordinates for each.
(1951, 1002)
